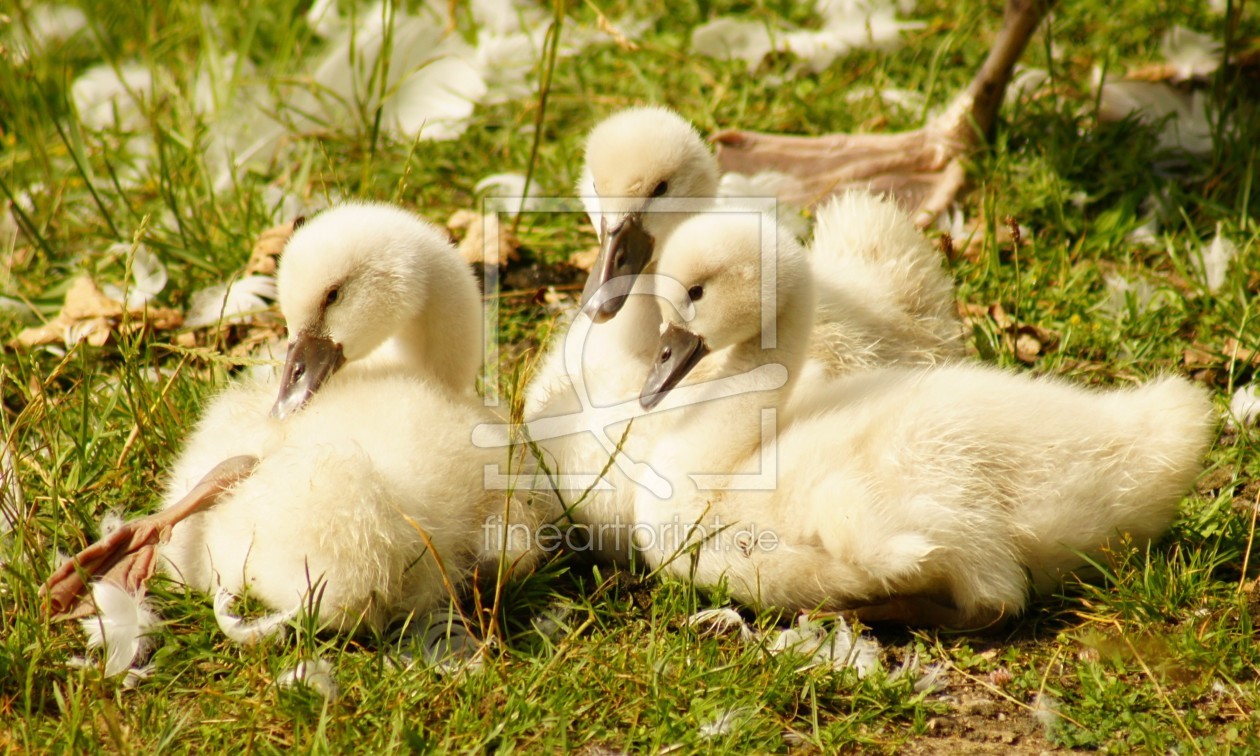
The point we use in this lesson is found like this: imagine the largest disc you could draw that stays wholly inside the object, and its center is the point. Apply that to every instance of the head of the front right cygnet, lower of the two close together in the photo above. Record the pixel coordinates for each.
(718, 275)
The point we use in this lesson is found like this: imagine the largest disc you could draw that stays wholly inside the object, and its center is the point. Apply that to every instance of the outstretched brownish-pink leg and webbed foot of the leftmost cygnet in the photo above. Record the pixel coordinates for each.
(129, 556)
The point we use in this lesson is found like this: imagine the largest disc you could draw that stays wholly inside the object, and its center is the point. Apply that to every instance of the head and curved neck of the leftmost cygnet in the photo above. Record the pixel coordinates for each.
(374, 285)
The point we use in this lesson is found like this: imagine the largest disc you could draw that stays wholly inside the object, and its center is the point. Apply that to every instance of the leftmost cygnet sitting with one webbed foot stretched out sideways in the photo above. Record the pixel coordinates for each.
(370, 503)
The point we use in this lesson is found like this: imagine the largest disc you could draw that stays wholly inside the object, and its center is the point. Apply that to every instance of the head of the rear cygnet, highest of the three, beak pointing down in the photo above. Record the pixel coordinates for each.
(637, 158)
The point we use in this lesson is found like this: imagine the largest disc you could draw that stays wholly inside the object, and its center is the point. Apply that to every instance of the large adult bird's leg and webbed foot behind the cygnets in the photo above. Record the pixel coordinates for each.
(922, 169)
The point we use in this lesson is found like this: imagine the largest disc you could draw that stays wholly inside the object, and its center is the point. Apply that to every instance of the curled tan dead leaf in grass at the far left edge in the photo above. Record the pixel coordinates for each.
(91, 317)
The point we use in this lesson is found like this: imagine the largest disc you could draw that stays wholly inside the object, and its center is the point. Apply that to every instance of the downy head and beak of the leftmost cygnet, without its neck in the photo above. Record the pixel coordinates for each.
(350, 279)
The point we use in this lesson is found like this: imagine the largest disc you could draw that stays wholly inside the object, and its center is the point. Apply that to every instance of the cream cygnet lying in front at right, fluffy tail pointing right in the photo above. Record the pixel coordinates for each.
(912, 496)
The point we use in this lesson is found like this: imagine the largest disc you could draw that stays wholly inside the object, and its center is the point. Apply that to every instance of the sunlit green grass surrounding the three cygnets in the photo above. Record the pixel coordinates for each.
(1157, 655)
